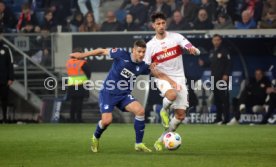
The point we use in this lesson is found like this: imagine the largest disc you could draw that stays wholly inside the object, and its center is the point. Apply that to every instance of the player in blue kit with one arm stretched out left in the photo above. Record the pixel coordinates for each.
(126, 67)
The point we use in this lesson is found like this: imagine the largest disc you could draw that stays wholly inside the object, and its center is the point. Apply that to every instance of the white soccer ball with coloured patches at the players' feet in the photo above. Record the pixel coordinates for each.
(172, 140)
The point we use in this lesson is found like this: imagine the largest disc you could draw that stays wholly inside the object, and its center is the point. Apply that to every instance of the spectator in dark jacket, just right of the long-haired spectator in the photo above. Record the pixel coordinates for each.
(111, 24)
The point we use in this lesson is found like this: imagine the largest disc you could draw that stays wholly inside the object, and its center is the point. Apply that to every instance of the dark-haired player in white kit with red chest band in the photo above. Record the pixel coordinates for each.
(165, 49)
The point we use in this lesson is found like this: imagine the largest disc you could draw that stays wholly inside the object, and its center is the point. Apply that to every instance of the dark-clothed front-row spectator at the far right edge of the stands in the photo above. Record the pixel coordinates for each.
(269, 21)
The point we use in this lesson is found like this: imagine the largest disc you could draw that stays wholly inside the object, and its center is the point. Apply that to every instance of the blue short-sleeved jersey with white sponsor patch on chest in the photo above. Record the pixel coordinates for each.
(123, 73)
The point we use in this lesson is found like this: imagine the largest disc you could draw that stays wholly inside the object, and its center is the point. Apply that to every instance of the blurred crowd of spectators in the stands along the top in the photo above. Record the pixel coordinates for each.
(133, 15)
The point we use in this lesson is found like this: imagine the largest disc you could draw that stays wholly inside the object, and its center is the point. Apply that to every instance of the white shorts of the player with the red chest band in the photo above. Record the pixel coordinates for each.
(181, 101)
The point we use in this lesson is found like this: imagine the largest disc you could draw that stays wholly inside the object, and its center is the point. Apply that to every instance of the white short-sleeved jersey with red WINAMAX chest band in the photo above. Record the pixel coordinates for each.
(167, 53)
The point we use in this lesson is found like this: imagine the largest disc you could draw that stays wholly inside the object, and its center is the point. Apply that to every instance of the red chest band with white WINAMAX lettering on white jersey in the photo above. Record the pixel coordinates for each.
(168, 54)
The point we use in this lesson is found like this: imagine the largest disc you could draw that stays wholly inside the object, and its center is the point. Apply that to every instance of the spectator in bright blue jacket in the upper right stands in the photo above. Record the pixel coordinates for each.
(247, 21)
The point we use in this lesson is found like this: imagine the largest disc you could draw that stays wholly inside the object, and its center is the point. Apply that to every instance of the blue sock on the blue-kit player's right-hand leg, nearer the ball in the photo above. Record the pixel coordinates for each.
(139, 126)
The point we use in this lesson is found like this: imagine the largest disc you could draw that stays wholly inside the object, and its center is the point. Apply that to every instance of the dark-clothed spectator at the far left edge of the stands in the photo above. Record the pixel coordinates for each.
(7, 18)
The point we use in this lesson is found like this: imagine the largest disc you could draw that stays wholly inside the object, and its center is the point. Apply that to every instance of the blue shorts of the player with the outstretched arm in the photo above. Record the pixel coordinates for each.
(108, 101)
